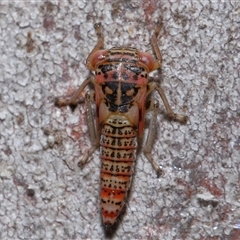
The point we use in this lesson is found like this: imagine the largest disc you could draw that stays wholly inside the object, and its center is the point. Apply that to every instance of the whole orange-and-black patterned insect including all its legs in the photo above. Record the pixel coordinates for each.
(121, 91)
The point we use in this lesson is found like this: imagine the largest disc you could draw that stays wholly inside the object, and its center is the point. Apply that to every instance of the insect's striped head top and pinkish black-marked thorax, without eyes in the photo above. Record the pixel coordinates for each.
(121, 76)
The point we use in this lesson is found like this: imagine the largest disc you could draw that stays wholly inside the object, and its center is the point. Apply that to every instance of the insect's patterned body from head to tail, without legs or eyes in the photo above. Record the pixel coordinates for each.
(120, 86)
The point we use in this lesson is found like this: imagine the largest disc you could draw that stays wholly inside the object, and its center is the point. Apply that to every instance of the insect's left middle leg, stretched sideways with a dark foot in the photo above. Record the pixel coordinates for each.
(75, 98)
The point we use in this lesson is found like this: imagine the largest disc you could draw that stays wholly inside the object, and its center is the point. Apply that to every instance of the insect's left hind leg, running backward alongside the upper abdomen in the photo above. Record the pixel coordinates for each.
(91, 127)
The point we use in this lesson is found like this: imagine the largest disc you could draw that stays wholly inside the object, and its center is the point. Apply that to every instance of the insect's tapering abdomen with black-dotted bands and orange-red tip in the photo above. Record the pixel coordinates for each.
(118, 153)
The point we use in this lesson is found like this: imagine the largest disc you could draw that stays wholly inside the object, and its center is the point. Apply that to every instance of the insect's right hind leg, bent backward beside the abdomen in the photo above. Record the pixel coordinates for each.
(151, 134)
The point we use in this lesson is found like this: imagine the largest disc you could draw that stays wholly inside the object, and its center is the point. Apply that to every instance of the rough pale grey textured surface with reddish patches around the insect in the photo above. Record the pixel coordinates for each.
(44, 195)
